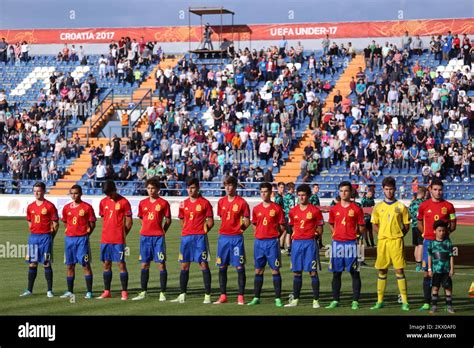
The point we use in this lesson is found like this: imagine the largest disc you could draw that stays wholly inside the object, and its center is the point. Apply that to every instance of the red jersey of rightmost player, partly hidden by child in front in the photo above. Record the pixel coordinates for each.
(431, 211)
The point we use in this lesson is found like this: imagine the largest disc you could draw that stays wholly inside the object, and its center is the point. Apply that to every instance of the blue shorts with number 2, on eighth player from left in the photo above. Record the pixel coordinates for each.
(304, 255)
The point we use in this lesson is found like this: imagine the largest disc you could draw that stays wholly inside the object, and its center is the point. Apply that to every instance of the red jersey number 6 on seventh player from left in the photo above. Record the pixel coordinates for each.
(267, 220)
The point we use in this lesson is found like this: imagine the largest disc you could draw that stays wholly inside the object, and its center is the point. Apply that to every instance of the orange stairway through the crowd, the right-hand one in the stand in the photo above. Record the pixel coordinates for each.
(291, 169)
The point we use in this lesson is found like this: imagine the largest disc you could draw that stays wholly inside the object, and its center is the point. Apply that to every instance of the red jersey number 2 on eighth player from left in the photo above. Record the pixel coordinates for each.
(304, 222)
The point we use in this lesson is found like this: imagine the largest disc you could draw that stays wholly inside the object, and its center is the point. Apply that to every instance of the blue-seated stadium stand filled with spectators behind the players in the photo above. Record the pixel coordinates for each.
(264, 115)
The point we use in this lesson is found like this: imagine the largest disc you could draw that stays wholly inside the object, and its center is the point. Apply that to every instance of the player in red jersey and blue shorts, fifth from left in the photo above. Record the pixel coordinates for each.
(197, 220)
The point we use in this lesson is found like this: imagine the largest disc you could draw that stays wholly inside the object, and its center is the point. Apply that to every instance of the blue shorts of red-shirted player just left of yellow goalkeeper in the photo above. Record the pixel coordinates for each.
(344, 256)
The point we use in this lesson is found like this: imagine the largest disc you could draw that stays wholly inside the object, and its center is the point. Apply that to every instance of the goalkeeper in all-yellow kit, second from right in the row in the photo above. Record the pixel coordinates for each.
(391, 220)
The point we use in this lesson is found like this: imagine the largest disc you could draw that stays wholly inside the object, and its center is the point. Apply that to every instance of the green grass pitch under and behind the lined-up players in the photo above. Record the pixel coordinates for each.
(14, 280)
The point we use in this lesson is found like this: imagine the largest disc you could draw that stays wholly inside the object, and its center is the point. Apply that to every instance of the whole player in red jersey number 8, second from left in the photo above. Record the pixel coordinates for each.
(79, 218)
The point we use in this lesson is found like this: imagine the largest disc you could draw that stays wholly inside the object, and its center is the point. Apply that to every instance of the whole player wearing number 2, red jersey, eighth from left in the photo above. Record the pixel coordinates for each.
(308, 223)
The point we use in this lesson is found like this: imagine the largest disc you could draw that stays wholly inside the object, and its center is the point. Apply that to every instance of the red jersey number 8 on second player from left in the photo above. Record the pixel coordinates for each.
(77, 219)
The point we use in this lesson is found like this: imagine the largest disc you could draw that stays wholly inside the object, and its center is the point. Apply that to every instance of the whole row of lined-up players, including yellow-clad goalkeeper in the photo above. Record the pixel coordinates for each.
(436, 219)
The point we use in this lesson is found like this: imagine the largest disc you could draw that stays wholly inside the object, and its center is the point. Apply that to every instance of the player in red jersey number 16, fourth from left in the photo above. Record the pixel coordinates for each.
(155, 214)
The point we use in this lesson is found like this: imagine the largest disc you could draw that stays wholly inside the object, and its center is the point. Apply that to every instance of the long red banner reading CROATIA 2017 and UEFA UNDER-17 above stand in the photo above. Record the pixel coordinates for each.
(420, 27)
